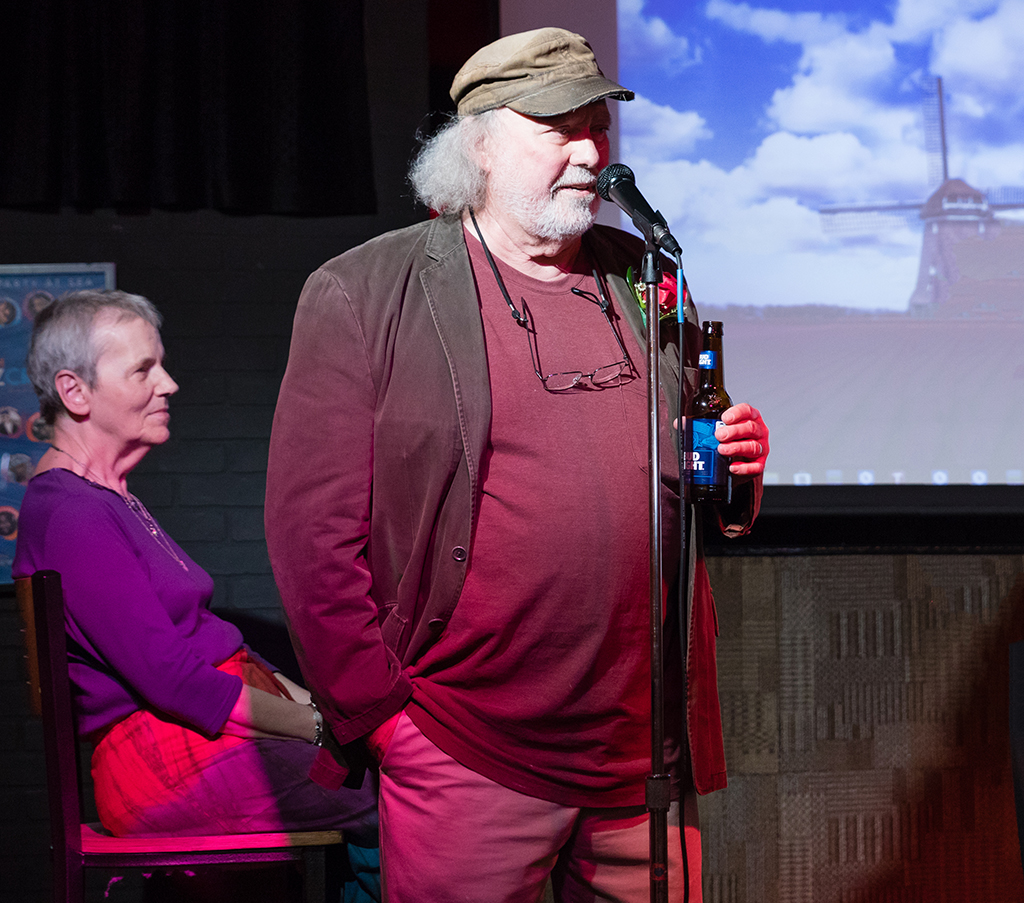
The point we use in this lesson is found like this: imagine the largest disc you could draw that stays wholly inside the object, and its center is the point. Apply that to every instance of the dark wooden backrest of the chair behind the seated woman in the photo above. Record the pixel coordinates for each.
(46, 625)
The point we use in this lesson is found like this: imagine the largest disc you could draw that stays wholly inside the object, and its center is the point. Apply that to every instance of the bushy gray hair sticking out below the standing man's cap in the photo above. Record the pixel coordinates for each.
(445, 175)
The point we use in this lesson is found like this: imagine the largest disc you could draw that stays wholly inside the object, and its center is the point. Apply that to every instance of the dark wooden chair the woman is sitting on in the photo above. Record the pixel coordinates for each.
(78, 846)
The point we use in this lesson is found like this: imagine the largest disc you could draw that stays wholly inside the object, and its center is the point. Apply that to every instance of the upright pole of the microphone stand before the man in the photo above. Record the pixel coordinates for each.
(659, 788)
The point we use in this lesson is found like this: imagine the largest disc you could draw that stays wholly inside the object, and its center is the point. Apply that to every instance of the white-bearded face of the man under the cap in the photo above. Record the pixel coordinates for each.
(542, 173)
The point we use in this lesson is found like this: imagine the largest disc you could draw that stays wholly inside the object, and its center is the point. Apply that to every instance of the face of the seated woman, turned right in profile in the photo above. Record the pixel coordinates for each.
(130, 402)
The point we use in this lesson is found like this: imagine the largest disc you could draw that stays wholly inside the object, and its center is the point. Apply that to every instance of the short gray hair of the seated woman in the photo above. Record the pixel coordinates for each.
(64, 339)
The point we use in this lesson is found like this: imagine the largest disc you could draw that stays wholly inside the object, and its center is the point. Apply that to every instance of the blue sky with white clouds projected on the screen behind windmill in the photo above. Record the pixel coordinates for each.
(749, 117)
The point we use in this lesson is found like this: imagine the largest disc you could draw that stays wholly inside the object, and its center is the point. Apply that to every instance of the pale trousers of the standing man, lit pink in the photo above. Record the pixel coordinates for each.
(451, 836)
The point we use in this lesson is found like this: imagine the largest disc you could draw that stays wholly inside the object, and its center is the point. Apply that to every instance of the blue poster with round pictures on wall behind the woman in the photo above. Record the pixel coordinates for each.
(25, 290)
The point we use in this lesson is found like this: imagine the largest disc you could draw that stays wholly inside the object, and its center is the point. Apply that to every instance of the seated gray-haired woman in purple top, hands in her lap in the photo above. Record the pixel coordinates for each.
(193, 733)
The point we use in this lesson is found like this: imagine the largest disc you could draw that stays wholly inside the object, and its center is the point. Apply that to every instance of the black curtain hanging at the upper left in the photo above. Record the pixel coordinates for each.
(239, 106)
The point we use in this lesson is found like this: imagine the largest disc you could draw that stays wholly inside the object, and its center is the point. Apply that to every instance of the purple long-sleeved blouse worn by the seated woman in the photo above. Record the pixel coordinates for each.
(141, 634)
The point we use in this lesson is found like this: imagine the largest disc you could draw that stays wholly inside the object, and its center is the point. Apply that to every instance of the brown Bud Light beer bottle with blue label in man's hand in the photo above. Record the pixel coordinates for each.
(708, 471)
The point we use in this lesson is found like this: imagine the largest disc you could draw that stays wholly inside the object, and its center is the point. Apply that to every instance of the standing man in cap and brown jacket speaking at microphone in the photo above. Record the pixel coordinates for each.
(462, 549)
